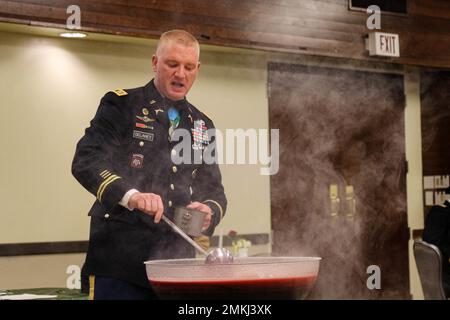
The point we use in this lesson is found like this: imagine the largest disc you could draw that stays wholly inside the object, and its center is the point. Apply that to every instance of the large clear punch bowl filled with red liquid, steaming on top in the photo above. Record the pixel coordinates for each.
(246, 278)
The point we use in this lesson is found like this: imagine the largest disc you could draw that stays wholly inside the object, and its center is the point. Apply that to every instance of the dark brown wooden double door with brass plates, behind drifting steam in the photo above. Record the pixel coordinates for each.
(340, 192)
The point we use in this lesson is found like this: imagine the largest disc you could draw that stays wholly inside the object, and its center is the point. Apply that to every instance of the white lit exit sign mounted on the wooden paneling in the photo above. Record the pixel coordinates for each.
(384, 44)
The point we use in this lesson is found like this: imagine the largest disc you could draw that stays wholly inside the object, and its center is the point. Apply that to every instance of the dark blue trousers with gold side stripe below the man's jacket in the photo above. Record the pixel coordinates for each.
(103, 288)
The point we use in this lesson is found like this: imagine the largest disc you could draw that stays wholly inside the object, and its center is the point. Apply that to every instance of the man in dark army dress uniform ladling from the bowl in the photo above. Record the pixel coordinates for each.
(125, 160)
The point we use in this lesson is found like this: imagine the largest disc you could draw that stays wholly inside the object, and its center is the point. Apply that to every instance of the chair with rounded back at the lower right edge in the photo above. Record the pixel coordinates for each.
(429, 264)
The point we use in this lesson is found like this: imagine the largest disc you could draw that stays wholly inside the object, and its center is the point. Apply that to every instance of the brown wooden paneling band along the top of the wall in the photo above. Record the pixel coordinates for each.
(321, 27)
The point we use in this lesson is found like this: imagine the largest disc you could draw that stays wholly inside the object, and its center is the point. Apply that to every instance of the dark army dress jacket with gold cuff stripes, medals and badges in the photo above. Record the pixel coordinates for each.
(128, 146)
